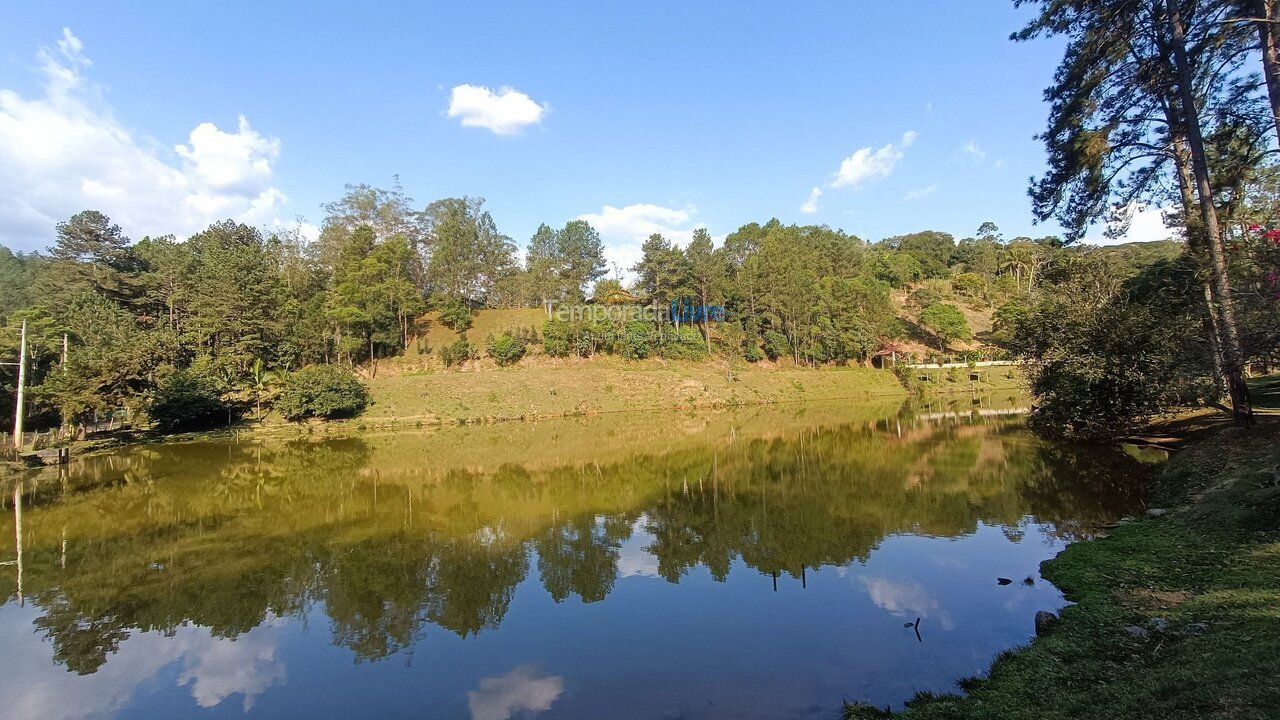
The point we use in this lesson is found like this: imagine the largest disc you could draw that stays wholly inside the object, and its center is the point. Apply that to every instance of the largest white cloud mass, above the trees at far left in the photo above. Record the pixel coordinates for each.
(65, 152)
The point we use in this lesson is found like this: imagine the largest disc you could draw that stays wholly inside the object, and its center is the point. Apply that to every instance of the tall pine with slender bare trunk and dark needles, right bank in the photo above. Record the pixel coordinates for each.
(1137, 81)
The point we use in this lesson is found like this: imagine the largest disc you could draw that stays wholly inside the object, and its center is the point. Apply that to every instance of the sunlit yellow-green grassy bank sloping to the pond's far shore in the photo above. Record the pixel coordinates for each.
(605, 385)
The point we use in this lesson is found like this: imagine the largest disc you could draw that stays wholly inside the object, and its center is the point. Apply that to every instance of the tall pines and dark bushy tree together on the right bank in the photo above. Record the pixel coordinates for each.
(1159, 103)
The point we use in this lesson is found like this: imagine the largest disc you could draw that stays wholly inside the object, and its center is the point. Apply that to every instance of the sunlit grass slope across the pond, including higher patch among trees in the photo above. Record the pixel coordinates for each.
(419, 389)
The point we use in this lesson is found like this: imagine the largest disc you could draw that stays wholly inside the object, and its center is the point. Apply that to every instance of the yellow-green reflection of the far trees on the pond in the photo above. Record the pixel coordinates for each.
(231, 535)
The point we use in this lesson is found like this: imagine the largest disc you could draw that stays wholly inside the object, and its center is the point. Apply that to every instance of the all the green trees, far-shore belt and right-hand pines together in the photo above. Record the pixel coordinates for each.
(1156, 103)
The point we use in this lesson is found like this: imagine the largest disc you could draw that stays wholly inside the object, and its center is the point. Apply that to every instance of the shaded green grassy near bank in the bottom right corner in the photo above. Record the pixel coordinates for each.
(1177, 616)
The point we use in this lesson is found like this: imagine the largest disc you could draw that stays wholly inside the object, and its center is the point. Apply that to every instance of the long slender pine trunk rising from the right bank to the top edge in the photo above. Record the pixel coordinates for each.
(1233, 358)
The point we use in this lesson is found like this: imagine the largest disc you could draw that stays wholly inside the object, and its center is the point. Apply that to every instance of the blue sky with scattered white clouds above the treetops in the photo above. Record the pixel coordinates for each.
(639, 117)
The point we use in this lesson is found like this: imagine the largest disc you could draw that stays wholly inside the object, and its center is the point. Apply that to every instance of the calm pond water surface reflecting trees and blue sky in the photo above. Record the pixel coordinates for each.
(753, 564)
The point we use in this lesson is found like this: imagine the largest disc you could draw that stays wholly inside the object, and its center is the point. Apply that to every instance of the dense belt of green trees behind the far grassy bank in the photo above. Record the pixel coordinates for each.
(240, 309)
